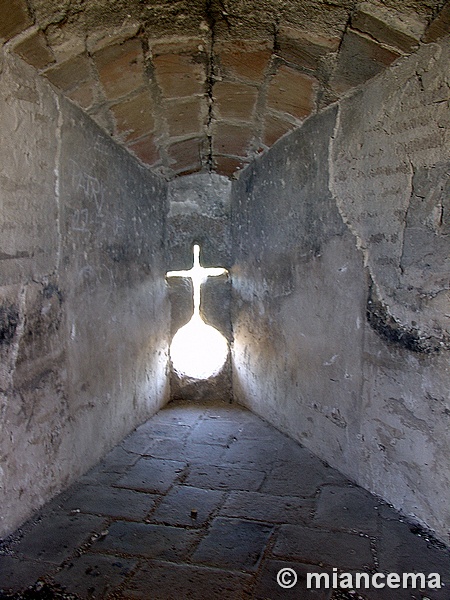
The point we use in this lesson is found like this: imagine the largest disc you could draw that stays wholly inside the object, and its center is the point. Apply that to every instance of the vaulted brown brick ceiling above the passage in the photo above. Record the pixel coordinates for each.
(200, 85)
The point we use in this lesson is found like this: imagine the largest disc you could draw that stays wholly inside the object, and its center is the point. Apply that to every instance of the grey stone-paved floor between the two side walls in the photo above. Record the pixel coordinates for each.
(211, 502)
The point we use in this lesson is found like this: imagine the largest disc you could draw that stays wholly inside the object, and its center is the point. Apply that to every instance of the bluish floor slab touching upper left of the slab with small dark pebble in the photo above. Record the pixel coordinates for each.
(152, 475)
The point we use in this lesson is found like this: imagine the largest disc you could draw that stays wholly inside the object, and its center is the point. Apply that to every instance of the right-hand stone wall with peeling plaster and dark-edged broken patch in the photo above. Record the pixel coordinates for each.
(341, 289)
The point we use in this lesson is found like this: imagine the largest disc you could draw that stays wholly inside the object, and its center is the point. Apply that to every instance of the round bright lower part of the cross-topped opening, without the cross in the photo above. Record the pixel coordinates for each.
(198, 350)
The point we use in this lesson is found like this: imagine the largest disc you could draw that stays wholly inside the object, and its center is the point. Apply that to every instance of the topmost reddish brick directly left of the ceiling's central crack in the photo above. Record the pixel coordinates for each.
(178, 75)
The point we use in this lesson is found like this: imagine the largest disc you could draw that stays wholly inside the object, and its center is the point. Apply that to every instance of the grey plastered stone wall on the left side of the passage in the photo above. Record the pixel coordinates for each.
(84, 311)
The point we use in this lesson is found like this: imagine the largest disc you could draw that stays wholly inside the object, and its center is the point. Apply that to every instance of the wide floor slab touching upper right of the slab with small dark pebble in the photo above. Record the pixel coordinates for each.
(222, 478)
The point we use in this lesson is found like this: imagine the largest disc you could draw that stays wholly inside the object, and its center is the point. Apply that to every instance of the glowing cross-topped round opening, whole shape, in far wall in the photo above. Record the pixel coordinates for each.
(198, 350)
